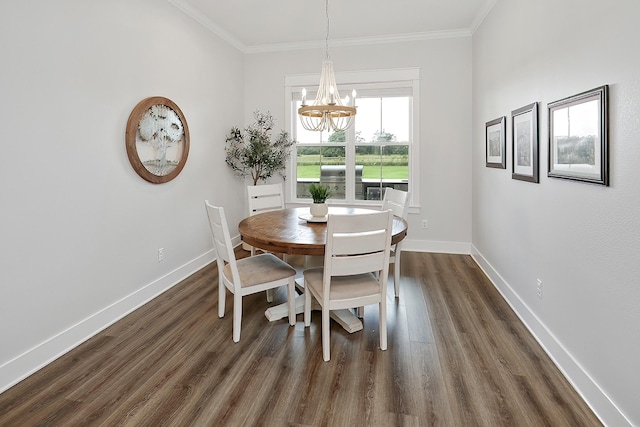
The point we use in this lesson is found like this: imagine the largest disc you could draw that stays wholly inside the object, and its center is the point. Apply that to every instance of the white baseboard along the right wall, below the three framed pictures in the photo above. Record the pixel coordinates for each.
(591, 393)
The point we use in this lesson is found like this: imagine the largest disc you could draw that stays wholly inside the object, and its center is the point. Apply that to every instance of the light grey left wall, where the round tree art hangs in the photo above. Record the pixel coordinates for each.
(79, 229)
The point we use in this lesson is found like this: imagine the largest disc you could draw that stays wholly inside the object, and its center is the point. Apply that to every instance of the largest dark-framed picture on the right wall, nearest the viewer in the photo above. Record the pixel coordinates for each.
(578, 137)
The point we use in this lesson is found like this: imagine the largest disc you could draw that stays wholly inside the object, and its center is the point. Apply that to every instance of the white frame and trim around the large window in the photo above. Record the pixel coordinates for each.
(394, 78)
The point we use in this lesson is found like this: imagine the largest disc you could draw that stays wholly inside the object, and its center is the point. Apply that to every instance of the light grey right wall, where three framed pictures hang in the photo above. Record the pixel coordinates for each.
(582, 240)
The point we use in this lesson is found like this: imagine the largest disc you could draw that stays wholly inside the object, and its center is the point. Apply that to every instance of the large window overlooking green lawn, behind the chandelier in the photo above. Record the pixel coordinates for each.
(378, 151)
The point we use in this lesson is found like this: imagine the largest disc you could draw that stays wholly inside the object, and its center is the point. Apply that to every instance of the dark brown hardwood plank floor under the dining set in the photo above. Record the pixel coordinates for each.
(457, 356)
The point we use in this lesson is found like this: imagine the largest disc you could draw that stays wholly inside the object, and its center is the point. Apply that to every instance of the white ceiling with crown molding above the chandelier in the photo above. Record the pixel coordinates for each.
(268, 25)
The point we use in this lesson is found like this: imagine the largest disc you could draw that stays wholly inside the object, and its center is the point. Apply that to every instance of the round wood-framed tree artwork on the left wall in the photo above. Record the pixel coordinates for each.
(157, 139)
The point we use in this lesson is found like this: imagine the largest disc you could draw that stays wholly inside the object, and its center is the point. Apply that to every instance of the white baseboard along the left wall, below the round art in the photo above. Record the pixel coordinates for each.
(32, 360)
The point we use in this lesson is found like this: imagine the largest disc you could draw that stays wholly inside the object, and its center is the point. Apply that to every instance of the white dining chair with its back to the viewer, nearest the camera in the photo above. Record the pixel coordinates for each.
(356, 266)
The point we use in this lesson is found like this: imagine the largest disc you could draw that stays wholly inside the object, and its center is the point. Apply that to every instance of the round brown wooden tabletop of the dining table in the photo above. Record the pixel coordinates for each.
(285, 231)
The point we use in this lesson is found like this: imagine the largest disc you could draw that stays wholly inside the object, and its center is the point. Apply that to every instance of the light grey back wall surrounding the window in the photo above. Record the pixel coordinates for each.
(445, 157)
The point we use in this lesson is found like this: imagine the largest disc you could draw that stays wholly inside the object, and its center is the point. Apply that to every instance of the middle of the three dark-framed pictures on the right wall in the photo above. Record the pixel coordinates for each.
(524, 143)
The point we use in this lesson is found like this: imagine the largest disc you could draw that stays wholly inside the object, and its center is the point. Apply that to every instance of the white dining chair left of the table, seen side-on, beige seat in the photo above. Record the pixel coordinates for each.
(247, 275)
